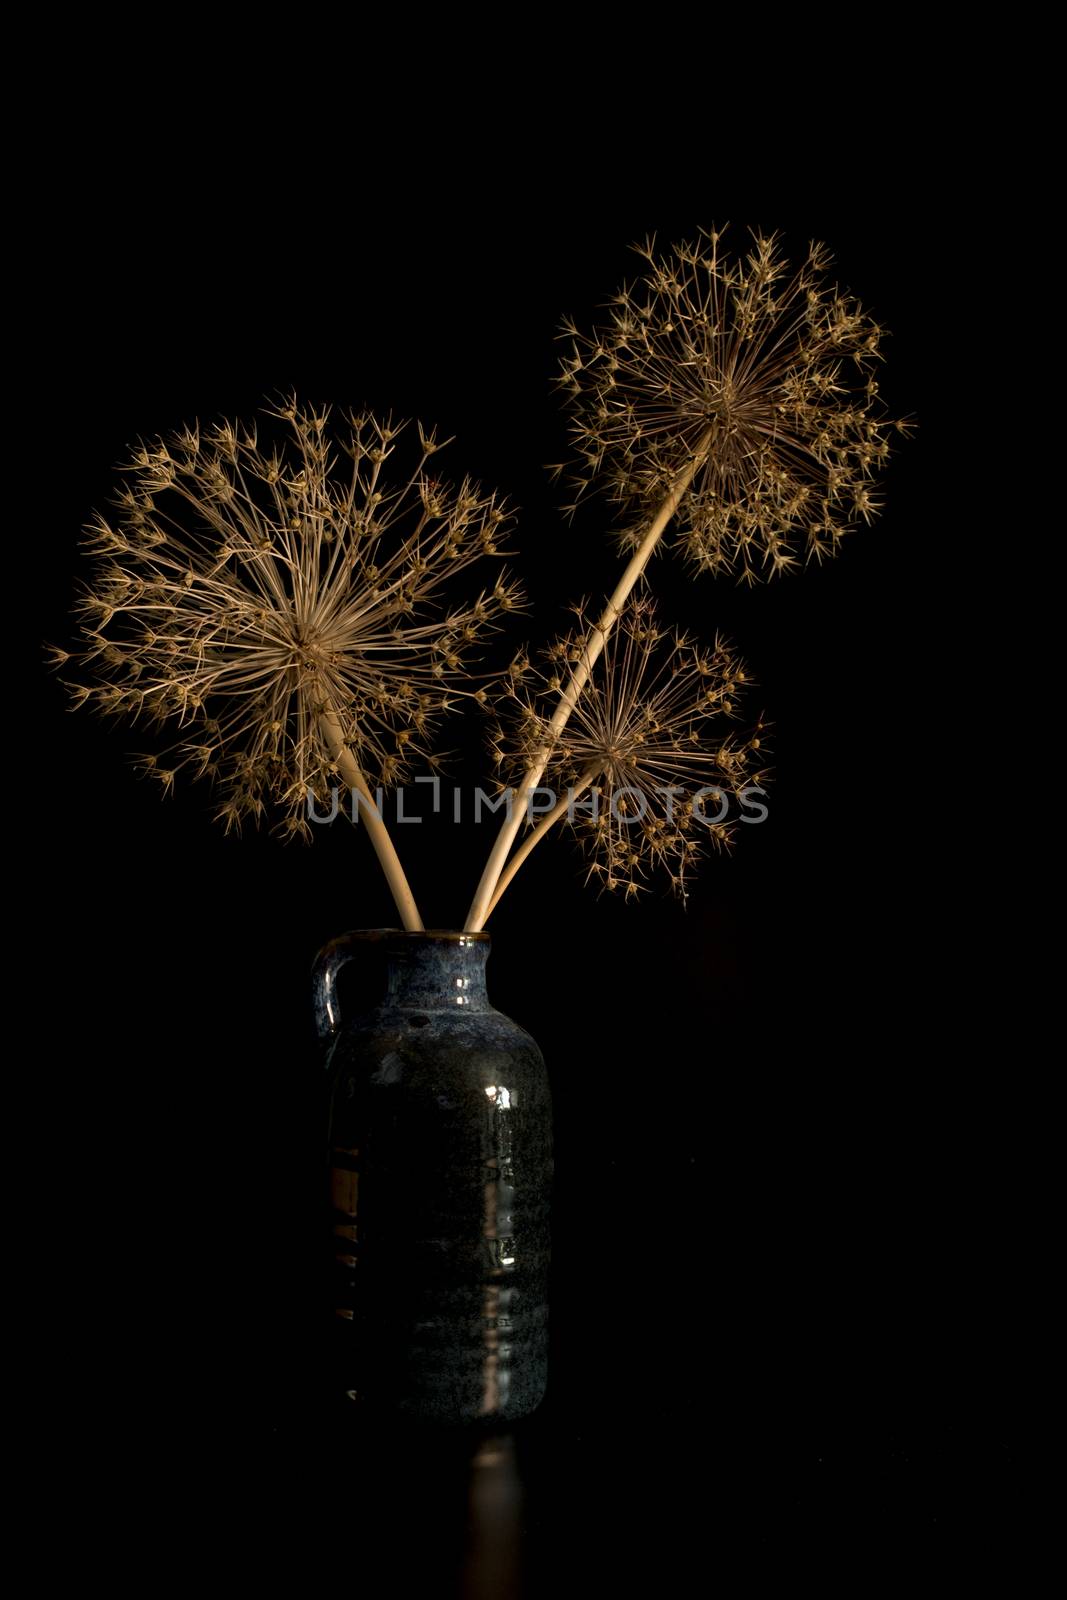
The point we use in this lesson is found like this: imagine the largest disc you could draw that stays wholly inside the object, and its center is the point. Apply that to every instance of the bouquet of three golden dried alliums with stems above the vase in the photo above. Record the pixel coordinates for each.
(287, 612)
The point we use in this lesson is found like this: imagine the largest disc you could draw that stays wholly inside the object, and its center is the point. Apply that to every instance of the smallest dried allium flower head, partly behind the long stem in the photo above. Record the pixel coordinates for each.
(647, 753)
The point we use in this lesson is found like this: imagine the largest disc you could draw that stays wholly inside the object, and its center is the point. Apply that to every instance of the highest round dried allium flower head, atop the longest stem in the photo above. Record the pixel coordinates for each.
(764, 374)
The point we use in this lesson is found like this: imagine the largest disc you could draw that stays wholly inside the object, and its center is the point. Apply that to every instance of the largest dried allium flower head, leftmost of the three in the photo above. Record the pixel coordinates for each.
(246, 591)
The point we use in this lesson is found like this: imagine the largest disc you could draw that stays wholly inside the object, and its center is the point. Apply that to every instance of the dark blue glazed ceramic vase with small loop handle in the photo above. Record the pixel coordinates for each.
(439, 1177)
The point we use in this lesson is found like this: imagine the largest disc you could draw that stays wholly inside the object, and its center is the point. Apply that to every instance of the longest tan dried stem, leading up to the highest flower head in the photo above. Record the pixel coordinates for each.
(578, 681)
